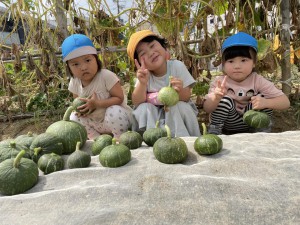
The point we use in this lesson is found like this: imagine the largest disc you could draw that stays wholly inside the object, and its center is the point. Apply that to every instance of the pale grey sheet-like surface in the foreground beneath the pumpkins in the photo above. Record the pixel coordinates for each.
(255, 179)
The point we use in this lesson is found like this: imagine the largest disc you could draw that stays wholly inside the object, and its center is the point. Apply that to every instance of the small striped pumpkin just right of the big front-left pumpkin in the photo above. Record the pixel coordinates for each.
(49, 163)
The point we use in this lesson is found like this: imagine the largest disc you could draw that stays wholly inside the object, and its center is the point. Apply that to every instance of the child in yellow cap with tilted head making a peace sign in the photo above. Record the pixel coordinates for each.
(149, 51)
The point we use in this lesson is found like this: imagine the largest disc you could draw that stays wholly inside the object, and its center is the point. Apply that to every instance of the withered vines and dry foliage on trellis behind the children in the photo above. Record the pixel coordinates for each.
(34, 80)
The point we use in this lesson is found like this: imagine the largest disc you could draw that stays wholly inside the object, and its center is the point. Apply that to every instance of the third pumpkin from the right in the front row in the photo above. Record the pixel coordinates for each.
(115, 155)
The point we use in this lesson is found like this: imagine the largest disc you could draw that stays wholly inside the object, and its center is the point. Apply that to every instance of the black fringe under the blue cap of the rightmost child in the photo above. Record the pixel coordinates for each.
(239, 51)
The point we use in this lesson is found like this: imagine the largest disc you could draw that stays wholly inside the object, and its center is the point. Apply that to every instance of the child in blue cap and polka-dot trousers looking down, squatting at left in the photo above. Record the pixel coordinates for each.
(99, 88)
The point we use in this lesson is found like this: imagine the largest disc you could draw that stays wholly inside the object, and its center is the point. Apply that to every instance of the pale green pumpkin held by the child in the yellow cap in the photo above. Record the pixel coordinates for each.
(168, 96)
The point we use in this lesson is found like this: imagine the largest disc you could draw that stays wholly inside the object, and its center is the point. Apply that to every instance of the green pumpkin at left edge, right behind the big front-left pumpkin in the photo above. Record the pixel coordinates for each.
(10, 149)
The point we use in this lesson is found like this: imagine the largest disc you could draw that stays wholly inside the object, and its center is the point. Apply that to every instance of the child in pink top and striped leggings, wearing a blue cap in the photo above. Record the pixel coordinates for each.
(240, 88)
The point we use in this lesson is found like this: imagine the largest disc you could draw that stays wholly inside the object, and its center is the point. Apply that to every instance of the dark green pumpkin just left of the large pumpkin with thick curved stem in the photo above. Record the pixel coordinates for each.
(46, 143)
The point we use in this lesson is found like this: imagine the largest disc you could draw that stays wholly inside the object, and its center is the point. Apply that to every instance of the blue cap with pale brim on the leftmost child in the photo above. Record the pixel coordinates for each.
(77, 45)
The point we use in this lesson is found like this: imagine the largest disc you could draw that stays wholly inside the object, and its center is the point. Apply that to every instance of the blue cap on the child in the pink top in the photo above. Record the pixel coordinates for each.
(240, 39)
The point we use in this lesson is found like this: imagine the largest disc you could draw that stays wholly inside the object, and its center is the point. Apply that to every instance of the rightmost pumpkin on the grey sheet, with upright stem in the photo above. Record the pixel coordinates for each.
(208, 144)
